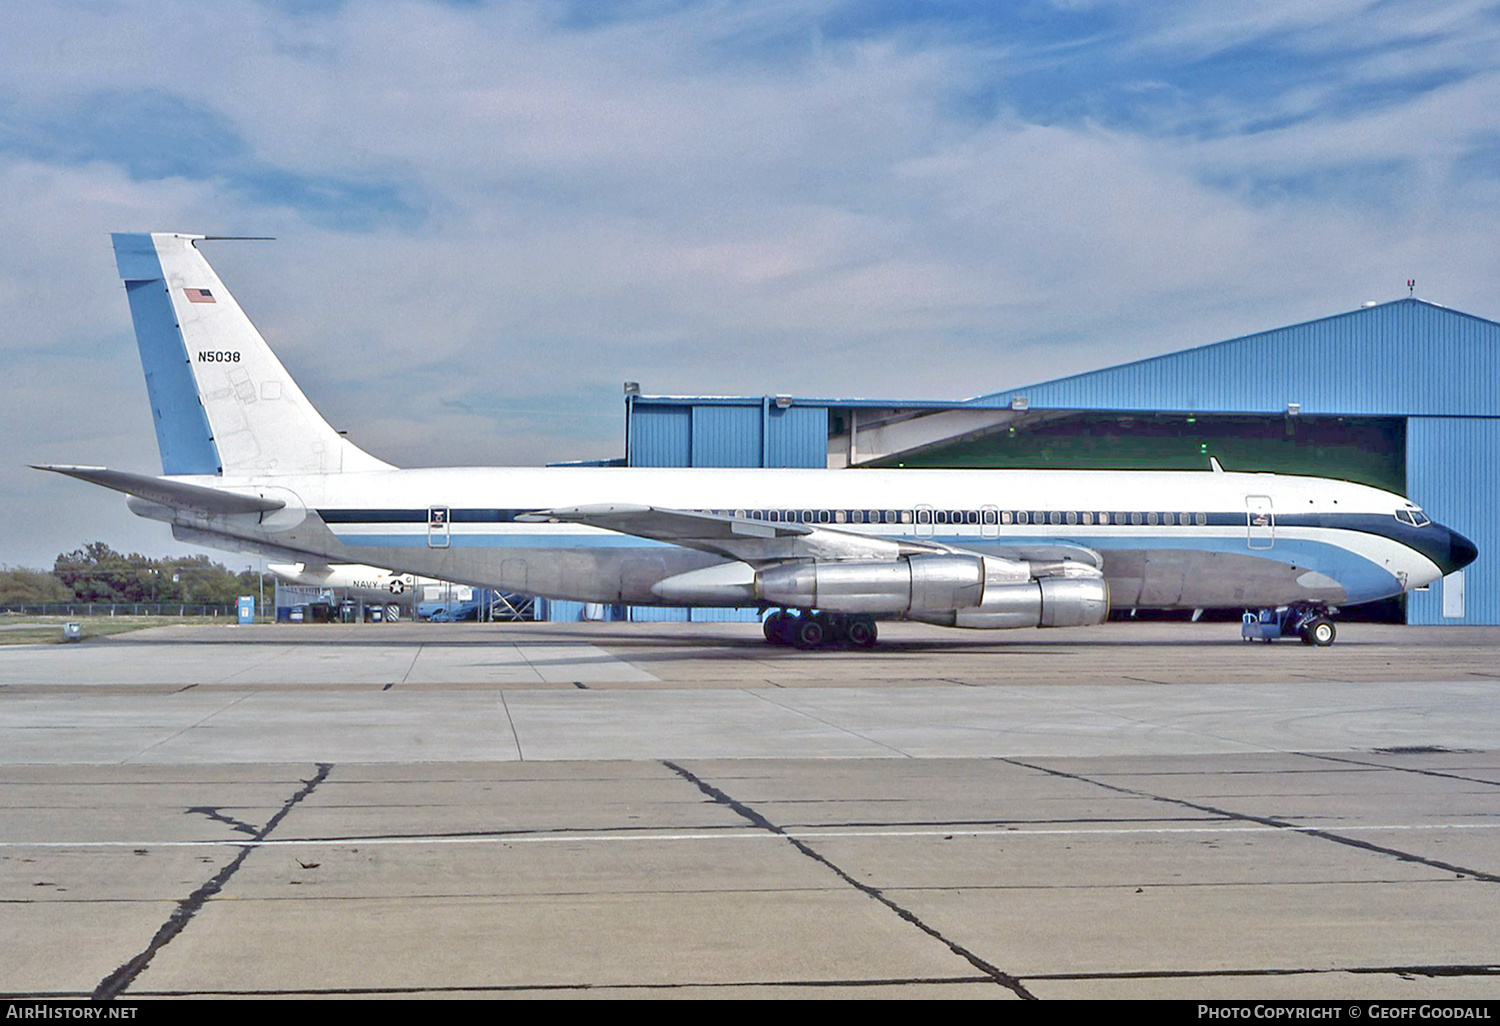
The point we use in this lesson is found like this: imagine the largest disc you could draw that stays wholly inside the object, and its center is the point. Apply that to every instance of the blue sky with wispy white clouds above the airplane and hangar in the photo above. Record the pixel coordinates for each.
(491, 215)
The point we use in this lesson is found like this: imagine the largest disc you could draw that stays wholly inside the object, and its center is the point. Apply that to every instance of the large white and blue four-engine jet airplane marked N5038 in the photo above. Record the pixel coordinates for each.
(250, 466)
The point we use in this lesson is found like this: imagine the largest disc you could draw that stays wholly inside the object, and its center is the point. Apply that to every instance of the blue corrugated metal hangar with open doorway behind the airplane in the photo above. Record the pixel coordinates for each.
(1397, 395)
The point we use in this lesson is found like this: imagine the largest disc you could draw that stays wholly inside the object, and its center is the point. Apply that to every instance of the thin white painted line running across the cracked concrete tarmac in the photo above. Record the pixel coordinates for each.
(754, 833)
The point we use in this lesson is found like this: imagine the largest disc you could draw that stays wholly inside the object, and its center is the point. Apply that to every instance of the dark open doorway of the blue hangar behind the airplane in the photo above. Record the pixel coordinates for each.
(1372, 451)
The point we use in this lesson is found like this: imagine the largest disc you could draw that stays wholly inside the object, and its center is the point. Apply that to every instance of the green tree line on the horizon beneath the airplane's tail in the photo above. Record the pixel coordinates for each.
(100, 574)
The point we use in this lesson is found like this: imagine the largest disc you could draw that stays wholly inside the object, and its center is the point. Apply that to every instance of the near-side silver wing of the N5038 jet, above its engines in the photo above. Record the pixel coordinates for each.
(739, 538)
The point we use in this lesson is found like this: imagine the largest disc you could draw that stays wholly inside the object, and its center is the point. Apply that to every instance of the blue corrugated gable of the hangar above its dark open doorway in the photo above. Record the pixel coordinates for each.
(1405, 359)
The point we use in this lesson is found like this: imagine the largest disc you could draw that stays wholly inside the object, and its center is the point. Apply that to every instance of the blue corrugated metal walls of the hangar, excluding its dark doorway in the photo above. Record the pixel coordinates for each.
(1433, 368)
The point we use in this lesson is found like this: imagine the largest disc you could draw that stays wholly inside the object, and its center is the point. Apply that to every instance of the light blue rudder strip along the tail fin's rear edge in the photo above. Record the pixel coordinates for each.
(182, 425)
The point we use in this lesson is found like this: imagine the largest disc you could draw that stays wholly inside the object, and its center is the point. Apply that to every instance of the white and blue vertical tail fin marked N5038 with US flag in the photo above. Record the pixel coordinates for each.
(221, 400)
